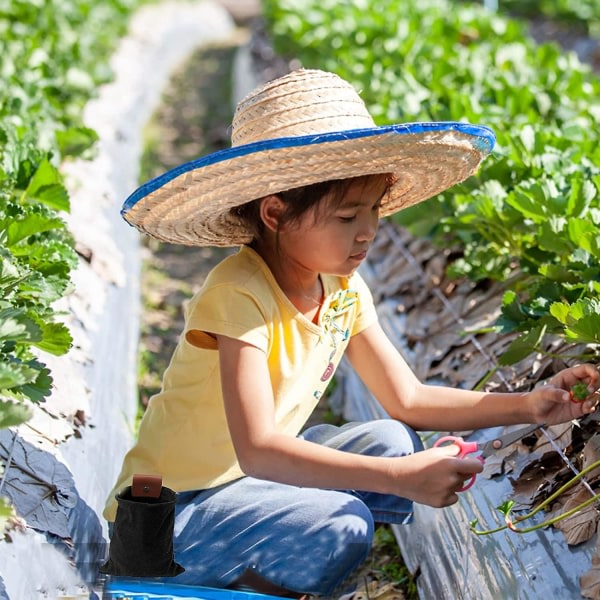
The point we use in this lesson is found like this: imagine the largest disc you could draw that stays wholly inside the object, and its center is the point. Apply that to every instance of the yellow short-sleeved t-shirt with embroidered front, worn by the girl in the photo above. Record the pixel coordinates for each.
(184, 435)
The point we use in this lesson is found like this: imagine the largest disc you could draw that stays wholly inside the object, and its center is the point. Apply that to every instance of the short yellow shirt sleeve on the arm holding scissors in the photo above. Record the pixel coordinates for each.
(226, 310)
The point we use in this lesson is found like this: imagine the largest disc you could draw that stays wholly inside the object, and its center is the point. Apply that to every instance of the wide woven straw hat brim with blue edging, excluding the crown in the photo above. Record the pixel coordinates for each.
(191, 204)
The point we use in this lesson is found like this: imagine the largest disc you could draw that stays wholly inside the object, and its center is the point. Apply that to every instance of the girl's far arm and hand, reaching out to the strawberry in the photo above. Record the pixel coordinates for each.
(429, 407)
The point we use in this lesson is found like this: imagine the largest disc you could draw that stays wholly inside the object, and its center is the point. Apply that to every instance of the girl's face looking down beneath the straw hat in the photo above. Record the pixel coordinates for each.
(333, 238)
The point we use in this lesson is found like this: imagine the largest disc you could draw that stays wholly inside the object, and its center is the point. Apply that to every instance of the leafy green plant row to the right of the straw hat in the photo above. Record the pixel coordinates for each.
(531, 215)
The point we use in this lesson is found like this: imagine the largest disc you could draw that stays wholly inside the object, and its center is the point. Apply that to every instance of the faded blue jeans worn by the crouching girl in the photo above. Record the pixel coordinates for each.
(302, 539)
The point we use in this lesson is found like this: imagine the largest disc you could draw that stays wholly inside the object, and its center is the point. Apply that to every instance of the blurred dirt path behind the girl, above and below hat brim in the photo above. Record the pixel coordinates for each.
(191, 121)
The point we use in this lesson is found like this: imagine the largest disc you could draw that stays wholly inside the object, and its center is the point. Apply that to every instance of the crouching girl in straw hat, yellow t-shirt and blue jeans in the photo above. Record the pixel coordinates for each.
(261, 502)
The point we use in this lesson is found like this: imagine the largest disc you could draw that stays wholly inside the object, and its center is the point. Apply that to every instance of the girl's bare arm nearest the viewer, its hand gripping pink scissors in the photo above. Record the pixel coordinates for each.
(432, 477)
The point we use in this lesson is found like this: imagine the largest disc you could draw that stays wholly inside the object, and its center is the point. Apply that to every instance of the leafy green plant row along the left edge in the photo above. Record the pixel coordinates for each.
(55, 55)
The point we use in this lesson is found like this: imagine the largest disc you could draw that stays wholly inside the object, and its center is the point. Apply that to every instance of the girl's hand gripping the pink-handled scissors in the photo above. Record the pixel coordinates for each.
(435, 476)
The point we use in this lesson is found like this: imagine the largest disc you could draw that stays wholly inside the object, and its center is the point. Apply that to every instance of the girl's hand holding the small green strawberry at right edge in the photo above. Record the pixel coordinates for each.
(551, 403)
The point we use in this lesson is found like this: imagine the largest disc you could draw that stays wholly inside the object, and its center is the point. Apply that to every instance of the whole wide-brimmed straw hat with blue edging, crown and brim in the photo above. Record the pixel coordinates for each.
(303, 128)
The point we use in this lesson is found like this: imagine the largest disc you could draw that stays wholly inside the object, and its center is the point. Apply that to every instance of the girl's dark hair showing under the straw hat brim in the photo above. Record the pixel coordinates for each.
(298, 201)
